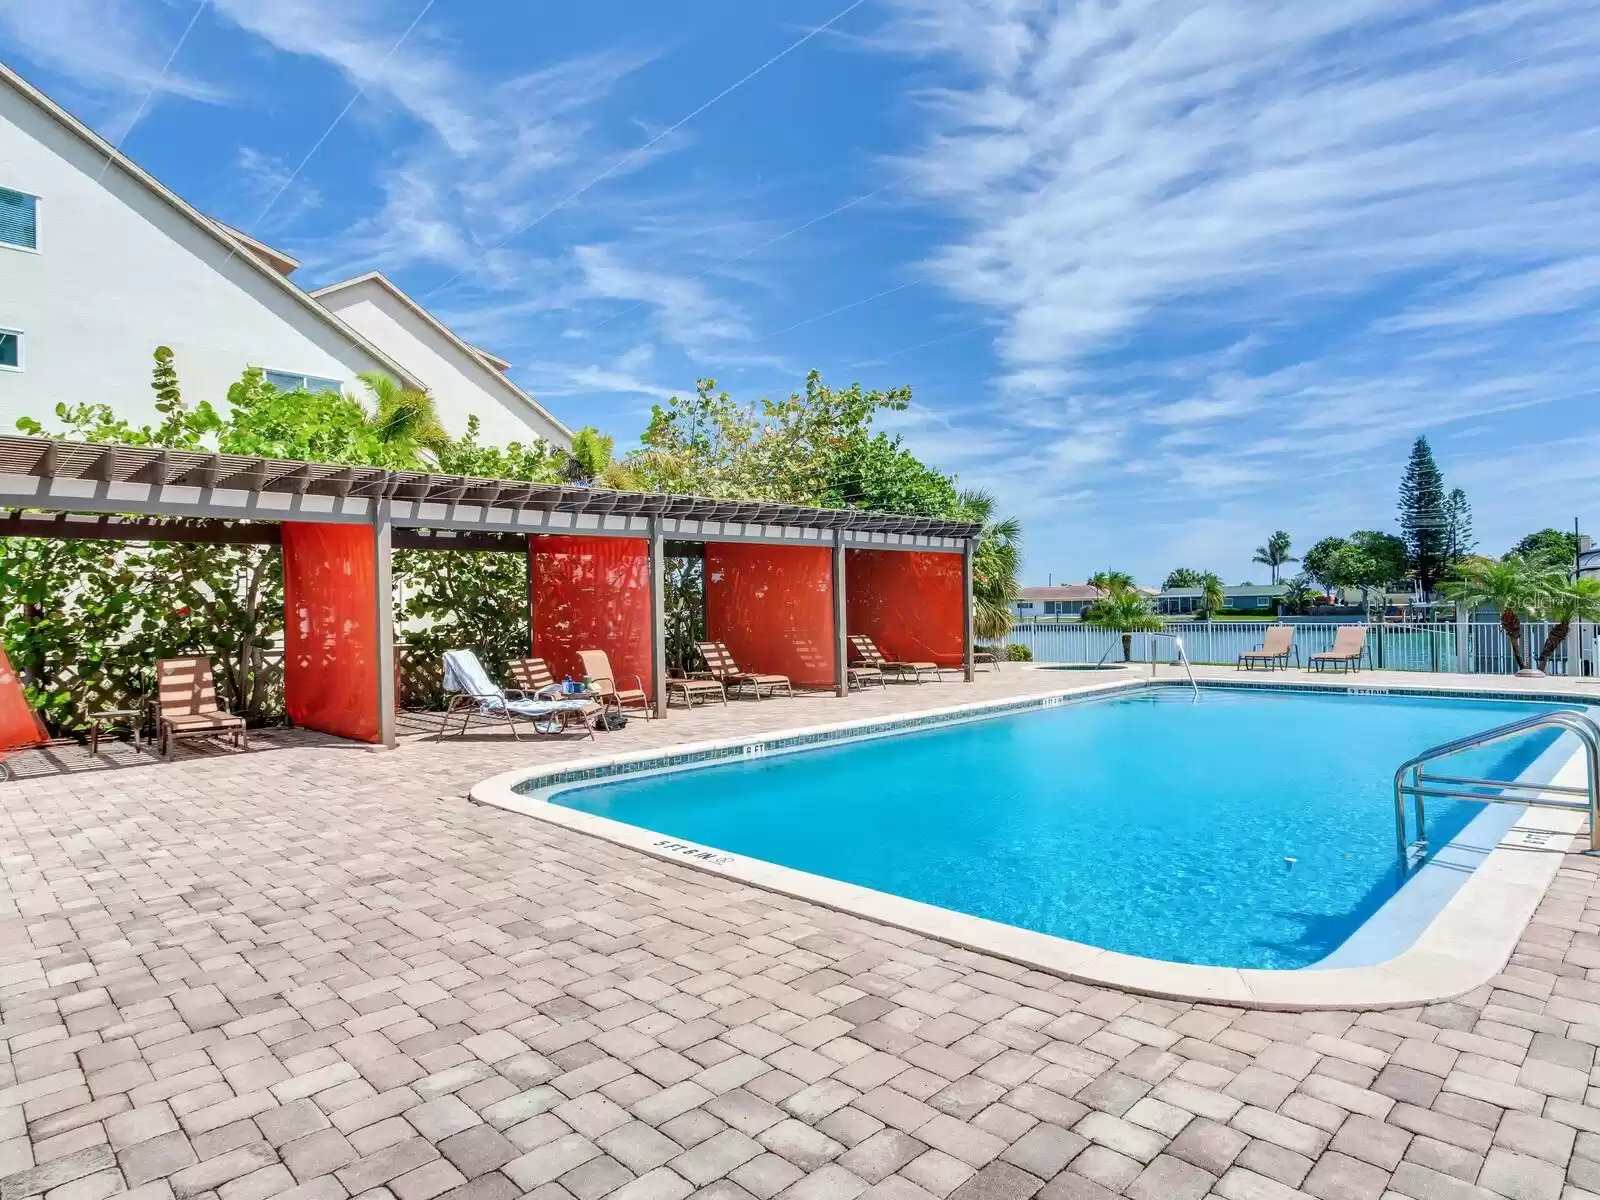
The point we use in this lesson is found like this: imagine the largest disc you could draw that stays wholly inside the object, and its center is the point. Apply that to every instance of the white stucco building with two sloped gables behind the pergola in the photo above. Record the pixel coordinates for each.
(100, 265)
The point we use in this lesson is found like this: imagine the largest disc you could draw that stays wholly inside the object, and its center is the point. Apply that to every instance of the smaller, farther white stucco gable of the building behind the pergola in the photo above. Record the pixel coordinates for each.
(462, 378)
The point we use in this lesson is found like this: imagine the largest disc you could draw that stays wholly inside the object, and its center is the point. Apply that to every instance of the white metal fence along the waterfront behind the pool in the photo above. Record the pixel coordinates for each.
(1391, 647)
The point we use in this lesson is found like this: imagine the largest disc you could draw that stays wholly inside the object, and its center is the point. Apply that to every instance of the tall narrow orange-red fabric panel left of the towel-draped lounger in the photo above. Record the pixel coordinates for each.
(330, 628)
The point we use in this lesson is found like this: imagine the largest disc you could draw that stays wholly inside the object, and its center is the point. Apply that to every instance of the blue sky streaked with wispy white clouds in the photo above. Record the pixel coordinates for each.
(1164, 276)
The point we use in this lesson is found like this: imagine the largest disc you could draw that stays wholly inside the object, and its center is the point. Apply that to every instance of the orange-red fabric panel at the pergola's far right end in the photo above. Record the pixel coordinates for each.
(908, 602)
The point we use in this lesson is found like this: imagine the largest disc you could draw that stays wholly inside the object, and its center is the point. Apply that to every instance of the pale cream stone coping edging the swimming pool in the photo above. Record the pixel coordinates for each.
(1465, 946)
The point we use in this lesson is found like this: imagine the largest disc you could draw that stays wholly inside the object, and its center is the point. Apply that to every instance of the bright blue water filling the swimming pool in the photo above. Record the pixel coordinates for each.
(1146, 823)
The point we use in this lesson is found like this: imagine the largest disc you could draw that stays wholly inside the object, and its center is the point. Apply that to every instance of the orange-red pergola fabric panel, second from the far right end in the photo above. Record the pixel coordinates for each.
(774, 609)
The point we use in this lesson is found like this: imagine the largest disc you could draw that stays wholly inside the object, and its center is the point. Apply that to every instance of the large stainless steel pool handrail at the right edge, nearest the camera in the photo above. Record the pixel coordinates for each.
(1410, 782)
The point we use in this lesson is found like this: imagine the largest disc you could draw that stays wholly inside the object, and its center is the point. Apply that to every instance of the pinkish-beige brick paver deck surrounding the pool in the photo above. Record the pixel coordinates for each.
(319, 972)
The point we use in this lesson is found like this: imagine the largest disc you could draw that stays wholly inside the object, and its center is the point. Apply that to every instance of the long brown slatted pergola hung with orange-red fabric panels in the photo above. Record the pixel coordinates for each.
(785, 585)
